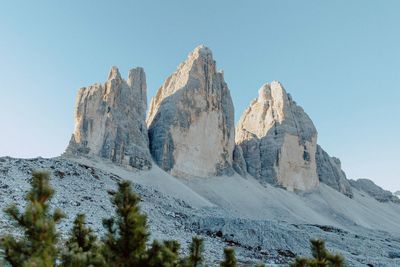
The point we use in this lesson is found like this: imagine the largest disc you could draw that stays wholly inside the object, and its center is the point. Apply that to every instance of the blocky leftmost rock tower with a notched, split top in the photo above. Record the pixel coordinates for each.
(110, 120)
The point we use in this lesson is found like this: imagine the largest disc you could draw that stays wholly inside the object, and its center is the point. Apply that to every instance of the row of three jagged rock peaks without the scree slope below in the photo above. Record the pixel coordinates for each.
(191, 128)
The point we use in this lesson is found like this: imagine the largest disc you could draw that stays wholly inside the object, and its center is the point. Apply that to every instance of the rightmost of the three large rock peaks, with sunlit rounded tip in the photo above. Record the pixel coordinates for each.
(278, 140)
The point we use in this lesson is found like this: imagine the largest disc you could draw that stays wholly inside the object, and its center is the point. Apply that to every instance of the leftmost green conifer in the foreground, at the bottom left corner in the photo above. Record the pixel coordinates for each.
(37, 246)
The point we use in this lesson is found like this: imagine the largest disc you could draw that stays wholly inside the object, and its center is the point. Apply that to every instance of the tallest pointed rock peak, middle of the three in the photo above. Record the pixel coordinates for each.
(191, 120)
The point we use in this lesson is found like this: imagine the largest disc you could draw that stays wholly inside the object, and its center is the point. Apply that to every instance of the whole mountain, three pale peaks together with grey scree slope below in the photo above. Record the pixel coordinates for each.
(265, 187)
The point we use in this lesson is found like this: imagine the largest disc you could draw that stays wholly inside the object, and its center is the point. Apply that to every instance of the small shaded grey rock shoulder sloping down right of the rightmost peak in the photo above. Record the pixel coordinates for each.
(330, 172)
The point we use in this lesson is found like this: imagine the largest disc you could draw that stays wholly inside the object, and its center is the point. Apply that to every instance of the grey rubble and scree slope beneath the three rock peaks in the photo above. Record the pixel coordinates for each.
(179, 209)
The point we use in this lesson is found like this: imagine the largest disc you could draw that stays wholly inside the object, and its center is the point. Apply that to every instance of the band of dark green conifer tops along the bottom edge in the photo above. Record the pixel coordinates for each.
(123, 245)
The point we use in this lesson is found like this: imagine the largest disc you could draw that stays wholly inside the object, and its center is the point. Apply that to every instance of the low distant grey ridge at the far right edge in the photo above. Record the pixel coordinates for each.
(374, 190)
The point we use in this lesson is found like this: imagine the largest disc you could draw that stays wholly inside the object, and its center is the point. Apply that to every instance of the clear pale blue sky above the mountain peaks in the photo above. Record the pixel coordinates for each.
(339, 59)
